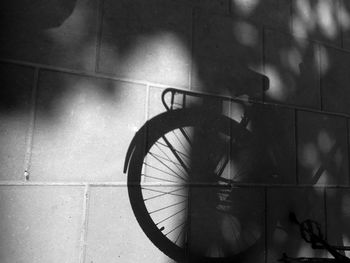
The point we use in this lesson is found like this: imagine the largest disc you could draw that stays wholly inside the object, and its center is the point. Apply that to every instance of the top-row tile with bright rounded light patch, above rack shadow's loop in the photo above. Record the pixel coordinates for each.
(148, 41)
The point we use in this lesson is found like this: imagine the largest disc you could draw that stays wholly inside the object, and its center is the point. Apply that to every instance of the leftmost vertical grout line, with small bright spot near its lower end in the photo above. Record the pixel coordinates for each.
(31, 124)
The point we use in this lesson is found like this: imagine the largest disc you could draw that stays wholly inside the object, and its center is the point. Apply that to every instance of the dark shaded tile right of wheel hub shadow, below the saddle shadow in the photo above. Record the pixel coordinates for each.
(267, 154)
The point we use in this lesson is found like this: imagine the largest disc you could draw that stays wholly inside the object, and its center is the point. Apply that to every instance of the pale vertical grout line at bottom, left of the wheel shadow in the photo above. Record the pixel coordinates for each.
(85, 222)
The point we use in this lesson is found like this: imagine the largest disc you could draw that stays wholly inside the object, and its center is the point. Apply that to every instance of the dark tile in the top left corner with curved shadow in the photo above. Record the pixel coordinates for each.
(53, 33)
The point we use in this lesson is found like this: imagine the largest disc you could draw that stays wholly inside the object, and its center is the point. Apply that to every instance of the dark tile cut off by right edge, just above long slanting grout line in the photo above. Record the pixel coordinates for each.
(334, 88)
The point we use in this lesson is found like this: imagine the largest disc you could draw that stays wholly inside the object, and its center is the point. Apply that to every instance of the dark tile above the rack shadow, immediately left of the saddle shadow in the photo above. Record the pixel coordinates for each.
(228, 56)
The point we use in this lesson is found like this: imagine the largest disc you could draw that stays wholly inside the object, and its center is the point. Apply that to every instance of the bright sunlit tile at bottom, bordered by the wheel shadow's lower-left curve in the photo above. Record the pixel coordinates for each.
(113, 232)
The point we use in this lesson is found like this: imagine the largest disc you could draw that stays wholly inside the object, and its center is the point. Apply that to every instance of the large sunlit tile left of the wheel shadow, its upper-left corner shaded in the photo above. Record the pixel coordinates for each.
(83, 127)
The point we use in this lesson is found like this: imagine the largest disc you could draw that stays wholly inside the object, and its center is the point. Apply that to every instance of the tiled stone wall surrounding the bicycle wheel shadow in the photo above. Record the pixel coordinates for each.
(78, 81)
